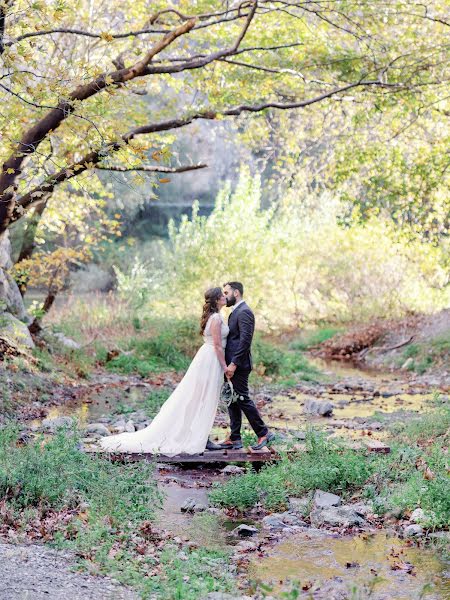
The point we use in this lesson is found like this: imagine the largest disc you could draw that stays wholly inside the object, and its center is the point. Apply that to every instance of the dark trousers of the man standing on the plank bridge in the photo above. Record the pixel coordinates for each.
(244, 405)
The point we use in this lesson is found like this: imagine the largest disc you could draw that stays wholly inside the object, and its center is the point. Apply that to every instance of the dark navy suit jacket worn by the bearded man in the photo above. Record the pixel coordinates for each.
(242, 325)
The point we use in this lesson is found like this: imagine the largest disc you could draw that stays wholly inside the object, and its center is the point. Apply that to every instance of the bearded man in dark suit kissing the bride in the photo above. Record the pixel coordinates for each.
(239, 360)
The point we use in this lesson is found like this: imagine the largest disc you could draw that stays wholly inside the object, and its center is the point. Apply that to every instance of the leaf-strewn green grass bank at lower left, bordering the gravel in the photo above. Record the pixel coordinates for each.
(104, 512)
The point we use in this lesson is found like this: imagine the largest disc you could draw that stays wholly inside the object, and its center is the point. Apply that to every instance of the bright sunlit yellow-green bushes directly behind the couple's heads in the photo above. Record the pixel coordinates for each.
(286, 256)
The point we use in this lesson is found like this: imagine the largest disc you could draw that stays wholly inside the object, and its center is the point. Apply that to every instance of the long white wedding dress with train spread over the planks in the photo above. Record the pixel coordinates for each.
(184, 421)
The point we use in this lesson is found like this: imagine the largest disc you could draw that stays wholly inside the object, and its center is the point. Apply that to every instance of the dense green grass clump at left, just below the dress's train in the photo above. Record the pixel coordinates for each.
(57, 474)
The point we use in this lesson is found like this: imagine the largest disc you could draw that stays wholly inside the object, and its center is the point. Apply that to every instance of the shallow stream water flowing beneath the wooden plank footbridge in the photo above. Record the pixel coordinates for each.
(374, 564)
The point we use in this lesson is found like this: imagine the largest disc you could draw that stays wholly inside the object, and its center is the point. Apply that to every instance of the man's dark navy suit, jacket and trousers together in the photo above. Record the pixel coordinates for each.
(242, 325)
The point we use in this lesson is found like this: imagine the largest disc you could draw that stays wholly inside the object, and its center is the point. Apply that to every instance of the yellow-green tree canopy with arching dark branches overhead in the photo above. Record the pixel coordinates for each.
(90, 85)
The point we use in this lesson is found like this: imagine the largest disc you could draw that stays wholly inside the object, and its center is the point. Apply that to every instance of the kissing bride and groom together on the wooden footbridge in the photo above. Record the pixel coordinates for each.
(184, 422)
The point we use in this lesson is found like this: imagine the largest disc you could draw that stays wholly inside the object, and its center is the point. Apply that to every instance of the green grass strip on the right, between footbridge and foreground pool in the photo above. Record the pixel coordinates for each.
(414, 474)
